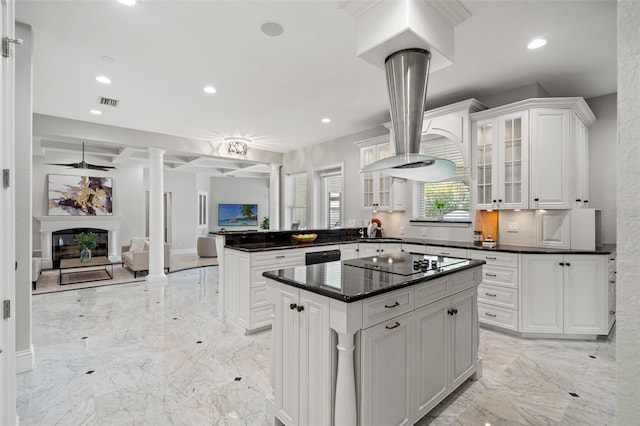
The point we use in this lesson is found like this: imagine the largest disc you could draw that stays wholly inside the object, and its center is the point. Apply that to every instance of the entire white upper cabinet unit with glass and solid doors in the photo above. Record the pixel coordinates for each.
(531, 154)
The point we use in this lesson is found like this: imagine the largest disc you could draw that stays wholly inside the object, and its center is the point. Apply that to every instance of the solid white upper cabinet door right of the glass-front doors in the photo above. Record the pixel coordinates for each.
(551, 158)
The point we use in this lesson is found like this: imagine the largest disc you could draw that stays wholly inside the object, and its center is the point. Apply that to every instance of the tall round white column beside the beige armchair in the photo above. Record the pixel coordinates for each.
(156, 216)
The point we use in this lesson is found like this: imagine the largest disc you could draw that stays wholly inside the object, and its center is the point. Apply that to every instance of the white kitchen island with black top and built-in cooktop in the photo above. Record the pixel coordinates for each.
(375, 340)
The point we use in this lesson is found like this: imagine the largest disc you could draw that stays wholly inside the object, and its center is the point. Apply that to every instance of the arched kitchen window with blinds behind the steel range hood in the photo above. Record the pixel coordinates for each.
(450, 200)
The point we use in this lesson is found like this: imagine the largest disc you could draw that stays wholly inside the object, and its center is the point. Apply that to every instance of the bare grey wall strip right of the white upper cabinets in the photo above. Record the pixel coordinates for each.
(602, 162)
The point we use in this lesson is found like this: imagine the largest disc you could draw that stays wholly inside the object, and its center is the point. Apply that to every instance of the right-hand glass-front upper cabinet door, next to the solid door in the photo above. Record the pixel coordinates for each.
(513, 142)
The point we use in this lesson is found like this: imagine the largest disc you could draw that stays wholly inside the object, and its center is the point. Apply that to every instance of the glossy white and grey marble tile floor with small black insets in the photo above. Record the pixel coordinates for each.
(156, 354)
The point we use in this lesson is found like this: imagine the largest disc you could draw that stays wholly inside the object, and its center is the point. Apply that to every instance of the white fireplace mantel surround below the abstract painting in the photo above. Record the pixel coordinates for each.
(49, 224)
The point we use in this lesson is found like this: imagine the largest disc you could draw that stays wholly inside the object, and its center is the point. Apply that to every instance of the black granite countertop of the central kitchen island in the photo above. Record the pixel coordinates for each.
(347, 283)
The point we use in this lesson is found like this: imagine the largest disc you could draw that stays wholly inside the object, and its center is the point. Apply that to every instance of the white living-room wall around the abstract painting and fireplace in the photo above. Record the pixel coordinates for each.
(128, 192)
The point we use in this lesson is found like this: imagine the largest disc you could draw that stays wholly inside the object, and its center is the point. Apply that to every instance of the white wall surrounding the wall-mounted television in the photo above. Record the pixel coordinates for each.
(238, 191)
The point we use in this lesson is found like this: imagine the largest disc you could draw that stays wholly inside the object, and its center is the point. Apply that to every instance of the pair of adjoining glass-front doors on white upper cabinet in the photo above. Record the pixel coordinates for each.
(500, 162)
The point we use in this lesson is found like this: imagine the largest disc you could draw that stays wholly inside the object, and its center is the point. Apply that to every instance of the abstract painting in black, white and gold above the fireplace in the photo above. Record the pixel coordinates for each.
(80, 196)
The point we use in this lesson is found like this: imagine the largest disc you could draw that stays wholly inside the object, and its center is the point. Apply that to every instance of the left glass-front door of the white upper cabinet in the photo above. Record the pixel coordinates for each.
(484, 164)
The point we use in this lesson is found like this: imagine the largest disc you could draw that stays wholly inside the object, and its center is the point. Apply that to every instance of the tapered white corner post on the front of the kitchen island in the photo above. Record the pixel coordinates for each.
(345, 401)
